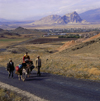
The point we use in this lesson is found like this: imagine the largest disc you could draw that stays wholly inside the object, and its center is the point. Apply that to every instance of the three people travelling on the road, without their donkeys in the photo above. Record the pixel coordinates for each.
(26, 59)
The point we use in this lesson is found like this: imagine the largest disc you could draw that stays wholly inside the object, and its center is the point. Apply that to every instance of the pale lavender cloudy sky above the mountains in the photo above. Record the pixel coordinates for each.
(35, 9)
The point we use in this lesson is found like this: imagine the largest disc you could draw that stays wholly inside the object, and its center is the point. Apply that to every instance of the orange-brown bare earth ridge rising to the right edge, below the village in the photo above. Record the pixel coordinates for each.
(75, 45)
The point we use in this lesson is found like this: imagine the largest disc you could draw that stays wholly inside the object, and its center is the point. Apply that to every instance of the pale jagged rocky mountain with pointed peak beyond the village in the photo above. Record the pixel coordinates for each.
(56, 19)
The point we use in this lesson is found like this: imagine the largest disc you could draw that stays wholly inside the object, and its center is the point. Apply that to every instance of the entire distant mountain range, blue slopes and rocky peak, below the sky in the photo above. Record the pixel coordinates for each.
(70, 18)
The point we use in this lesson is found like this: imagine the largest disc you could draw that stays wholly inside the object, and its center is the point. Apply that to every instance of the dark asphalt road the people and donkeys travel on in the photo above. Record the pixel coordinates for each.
(55, 88)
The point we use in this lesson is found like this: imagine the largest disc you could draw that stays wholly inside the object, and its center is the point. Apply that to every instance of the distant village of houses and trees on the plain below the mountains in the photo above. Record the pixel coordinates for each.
(81, 33)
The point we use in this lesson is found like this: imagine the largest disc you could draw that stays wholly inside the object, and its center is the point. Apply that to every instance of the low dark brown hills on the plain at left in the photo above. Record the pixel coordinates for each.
(20, 32)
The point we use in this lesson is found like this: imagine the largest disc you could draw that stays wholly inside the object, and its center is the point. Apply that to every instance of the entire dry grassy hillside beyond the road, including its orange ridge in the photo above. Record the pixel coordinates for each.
(74, 59)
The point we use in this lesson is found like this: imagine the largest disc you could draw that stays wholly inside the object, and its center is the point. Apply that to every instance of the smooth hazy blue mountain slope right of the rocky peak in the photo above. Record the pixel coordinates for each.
(91, 15)
